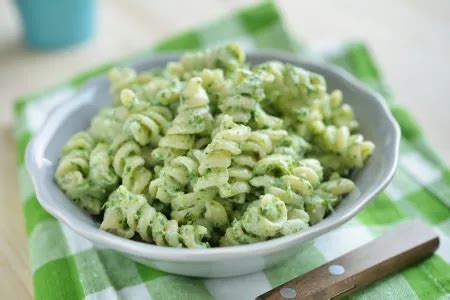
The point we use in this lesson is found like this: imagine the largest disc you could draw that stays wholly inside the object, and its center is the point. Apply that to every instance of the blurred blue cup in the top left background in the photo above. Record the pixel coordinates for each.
(51, 24)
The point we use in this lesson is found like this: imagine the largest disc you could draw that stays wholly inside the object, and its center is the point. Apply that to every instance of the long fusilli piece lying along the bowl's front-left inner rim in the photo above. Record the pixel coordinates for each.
(127, 214)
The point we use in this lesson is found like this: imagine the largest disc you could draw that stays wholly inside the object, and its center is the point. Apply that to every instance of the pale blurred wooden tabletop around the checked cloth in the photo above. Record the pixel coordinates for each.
(410, 38)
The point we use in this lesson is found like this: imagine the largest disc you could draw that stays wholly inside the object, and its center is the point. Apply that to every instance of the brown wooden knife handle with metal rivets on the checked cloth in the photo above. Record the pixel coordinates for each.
(407, 244)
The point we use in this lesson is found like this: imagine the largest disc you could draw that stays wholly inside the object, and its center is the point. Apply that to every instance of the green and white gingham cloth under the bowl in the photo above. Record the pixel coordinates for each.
(67, 266)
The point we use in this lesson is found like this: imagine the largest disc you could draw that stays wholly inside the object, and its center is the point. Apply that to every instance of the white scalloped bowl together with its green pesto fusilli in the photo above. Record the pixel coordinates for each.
(213, 163)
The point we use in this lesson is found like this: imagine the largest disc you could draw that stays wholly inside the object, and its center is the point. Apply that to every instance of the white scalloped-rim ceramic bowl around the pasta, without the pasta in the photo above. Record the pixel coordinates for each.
(75, 113)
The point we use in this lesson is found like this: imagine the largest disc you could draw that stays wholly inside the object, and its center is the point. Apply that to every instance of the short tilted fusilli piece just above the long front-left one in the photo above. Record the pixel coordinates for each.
(129, 164)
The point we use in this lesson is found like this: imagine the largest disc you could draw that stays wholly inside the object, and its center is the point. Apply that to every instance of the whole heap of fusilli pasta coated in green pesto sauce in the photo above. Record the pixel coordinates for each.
(212, 151)
